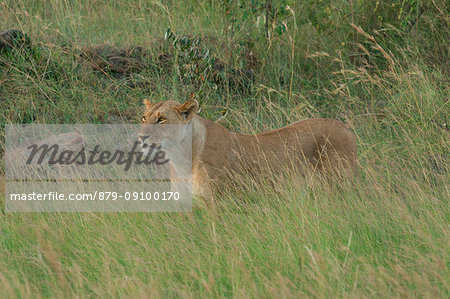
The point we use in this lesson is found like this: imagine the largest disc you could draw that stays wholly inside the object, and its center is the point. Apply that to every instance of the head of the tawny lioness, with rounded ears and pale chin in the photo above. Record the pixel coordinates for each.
(157, 115)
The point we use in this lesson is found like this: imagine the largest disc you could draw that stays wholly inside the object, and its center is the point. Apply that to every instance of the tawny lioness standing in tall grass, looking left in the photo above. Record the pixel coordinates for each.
(217, 154)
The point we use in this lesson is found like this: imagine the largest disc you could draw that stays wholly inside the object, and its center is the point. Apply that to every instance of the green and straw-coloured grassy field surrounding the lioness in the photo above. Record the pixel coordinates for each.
(380, 66)
